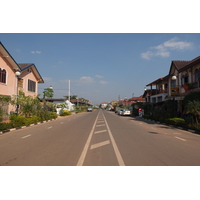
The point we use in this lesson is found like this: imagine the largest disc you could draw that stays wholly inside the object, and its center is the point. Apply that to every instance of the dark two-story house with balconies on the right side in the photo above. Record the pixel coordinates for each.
(183, 78)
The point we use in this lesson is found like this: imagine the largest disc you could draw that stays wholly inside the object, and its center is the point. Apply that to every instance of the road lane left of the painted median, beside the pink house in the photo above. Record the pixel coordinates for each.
(59, 145)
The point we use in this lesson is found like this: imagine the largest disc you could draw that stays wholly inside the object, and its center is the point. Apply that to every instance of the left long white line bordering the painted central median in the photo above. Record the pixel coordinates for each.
(84, 152)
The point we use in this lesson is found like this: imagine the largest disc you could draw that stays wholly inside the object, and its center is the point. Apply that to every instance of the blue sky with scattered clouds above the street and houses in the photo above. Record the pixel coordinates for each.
(101, 66)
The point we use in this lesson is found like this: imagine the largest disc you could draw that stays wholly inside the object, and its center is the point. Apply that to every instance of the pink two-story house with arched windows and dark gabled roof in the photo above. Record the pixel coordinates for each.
(15, 77)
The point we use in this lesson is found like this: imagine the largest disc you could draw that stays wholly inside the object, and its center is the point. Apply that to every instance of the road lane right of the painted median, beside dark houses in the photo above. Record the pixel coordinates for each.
(140, 146)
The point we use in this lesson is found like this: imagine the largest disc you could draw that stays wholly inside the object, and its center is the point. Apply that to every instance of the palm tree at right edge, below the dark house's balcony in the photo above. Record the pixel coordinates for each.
(193, 107)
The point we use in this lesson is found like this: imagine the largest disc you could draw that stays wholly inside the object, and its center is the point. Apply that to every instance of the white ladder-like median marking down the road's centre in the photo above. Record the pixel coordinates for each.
(100, 122)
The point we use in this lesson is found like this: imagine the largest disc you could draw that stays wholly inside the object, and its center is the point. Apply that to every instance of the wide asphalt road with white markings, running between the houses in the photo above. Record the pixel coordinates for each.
(99, 138)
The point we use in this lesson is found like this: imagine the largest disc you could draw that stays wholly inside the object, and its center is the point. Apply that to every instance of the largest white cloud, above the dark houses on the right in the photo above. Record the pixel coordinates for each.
(163, 50)
